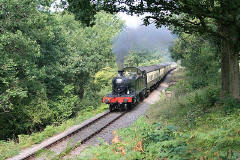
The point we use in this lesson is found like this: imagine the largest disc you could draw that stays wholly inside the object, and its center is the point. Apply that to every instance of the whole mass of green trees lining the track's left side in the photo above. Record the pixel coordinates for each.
(48, 61)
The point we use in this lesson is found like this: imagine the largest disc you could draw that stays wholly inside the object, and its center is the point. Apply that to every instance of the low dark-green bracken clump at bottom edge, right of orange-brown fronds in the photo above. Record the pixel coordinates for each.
(165, 142)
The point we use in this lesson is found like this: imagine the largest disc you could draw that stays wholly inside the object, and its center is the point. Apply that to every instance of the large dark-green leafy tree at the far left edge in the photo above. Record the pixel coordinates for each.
(34, 52)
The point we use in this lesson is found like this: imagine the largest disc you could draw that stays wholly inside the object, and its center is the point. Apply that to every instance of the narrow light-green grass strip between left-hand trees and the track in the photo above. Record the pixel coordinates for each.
(11, 148)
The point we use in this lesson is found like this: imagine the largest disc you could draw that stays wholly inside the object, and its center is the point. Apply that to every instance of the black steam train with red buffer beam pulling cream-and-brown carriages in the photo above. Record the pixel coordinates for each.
(133, 84)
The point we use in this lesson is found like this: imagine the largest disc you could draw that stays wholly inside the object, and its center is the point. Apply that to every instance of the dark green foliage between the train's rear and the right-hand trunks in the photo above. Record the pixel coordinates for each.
(199, 55)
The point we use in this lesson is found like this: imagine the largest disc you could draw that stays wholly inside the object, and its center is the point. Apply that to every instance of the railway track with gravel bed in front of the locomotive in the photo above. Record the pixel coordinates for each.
(72, 137)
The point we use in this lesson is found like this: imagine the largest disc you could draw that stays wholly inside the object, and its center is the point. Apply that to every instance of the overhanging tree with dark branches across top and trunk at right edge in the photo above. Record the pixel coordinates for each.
(218, 18)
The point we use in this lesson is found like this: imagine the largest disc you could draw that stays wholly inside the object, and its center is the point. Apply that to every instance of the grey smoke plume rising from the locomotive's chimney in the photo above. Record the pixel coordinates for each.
(141, 38)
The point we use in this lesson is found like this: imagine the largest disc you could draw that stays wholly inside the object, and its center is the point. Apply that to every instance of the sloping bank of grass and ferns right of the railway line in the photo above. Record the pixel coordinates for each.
(193, 124)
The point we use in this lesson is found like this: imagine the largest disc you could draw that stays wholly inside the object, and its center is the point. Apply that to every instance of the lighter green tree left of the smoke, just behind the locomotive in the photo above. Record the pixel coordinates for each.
(94, 46)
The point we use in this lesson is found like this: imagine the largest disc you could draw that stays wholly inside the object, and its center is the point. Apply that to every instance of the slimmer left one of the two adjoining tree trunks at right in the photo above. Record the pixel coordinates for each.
(224, 69)
